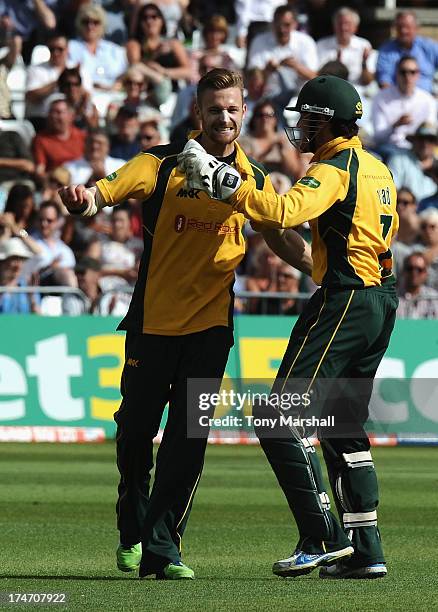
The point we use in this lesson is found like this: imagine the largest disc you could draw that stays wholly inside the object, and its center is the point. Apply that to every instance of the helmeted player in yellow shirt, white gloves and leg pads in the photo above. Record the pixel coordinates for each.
(349, 198)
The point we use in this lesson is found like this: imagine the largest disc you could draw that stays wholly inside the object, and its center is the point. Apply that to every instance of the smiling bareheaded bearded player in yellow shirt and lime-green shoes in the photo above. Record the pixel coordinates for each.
(179, 324)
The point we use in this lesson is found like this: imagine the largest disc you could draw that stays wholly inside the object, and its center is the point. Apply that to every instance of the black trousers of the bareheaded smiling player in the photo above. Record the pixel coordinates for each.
(155, 374)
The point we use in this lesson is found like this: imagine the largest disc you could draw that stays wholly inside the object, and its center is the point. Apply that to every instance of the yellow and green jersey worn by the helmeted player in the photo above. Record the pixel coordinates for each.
(349, 198)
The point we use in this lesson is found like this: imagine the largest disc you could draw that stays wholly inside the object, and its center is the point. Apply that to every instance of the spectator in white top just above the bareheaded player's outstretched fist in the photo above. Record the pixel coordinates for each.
(96, 163)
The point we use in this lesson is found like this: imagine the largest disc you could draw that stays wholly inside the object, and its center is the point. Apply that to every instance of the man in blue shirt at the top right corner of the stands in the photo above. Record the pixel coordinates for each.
(407, 42)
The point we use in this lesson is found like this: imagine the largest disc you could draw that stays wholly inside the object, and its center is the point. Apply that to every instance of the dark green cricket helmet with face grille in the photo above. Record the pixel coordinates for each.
(323, 98)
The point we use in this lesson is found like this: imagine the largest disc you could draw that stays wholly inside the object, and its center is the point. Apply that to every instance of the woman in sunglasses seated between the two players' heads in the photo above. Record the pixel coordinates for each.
(269, 145)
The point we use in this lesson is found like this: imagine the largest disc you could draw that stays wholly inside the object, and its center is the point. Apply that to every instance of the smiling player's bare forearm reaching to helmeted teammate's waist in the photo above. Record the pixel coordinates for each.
(291, 247)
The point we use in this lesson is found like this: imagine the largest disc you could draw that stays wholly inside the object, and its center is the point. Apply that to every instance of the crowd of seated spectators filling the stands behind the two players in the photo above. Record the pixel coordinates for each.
(85, 86)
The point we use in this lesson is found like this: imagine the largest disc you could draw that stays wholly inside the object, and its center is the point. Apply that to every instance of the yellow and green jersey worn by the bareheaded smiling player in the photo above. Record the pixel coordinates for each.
(192, 244)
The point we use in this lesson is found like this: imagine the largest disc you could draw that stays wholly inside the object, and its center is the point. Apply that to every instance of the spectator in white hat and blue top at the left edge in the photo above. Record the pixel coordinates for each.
(13, 255)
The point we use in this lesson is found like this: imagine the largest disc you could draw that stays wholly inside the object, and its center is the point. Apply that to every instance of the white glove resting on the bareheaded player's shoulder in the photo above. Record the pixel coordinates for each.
(204, 171)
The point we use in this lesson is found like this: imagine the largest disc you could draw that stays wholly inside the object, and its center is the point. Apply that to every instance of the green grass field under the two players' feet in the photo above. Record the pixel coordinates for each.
(58, 535)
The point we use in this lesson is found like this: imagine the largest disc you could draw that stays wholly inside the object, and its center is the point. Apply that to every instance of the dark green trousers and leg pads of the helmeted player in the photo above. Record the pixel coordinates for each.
(334, 351)
